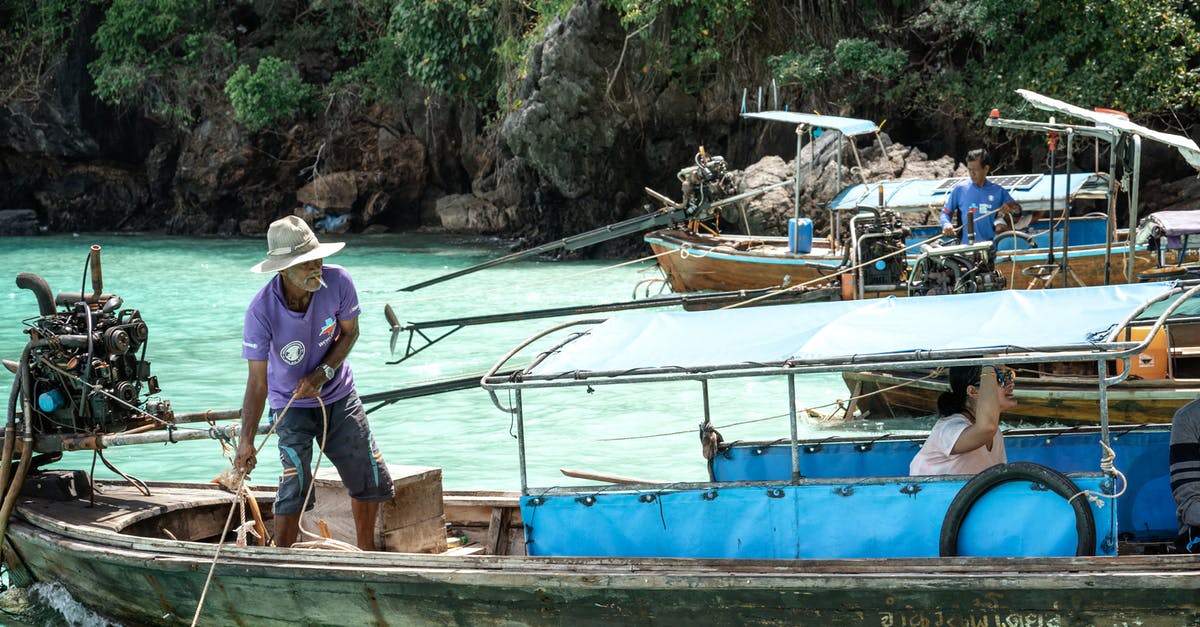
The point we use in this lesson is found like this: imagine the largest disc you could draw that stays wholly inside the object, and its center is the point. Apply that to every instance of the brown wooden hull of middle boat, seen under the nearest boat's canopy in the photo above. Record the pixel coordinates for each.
(1131, 402)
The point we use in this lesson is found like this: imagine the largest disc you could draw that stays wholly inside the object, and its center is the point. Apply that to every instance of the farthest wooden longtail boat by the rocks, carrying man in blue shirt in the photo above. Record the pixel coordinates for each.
(874, 256)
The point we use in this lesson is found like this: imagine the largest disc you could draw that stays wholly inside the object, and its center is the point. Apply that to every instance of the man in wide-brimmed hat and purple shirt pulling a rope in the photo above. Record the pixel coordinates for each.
(299, 330)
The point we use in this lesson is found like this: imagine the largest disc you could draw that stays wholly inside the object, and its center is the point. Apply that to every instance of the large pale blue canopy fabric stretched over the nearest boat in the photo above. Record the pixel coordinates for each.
(819, 331)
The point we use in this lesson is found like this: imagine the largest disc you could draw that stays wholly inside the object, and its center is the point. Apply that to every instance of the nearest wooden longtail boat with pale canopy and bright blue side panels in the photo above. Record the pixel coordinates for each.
(808, 541)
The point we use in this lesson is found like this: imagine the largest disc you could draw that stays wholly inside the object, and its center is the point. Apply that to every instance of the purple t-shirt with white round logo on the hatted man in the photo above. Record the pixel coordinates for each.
(295, 344)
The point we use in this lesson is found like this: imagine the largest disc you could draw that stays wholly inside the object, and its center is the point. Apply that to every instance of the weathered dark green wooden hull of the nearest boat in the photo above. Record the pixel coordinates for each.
(160, 582)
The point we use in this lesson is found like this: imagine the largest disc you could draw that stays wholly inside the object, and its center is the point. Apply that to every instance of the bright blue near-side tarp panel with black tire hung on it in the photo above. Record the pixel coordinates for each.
(881, 518)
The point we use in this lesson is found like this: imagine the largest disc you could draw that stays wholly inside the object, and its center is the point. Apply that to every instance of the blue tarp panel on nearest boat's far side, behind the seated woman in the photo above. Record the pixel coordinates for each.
(1147, 511)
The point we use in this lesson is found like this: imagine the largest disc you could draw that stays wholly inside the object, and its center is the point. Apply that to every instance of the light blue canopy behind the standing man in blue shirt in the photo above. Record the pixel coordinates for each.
(919, 195)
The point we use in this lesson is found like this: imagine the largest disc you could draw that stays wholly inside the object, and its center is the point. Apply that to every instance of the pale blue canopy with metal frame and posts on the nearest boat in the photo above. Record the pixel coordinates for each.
(884, 335)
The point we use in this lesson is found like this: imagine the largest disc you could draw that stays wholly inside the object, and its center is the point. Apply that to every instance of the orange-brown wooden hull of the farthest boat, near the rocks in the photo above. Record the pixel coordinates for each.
(693, 264)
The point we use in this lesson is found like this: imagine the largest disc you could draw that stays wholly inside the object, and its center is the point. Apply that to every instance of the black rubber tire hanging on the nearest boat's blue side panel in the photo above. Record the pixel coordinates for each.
(1017, 471)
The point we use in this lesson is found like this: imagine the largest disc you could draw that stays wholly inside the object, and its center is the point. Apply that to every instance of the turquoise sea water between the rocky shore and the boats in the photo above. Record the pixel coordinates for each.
(193, 295)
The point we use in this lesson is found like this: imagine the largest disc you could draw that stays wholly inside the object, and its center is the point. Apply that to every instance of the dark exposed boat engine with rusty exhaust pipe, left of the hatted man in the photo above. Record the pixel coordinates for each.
(81, 371)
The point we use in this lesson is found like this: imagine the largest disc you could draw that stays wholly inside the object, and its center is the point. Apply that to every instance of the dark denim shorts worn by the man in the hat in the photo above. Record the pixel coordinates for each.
(349, 445)
